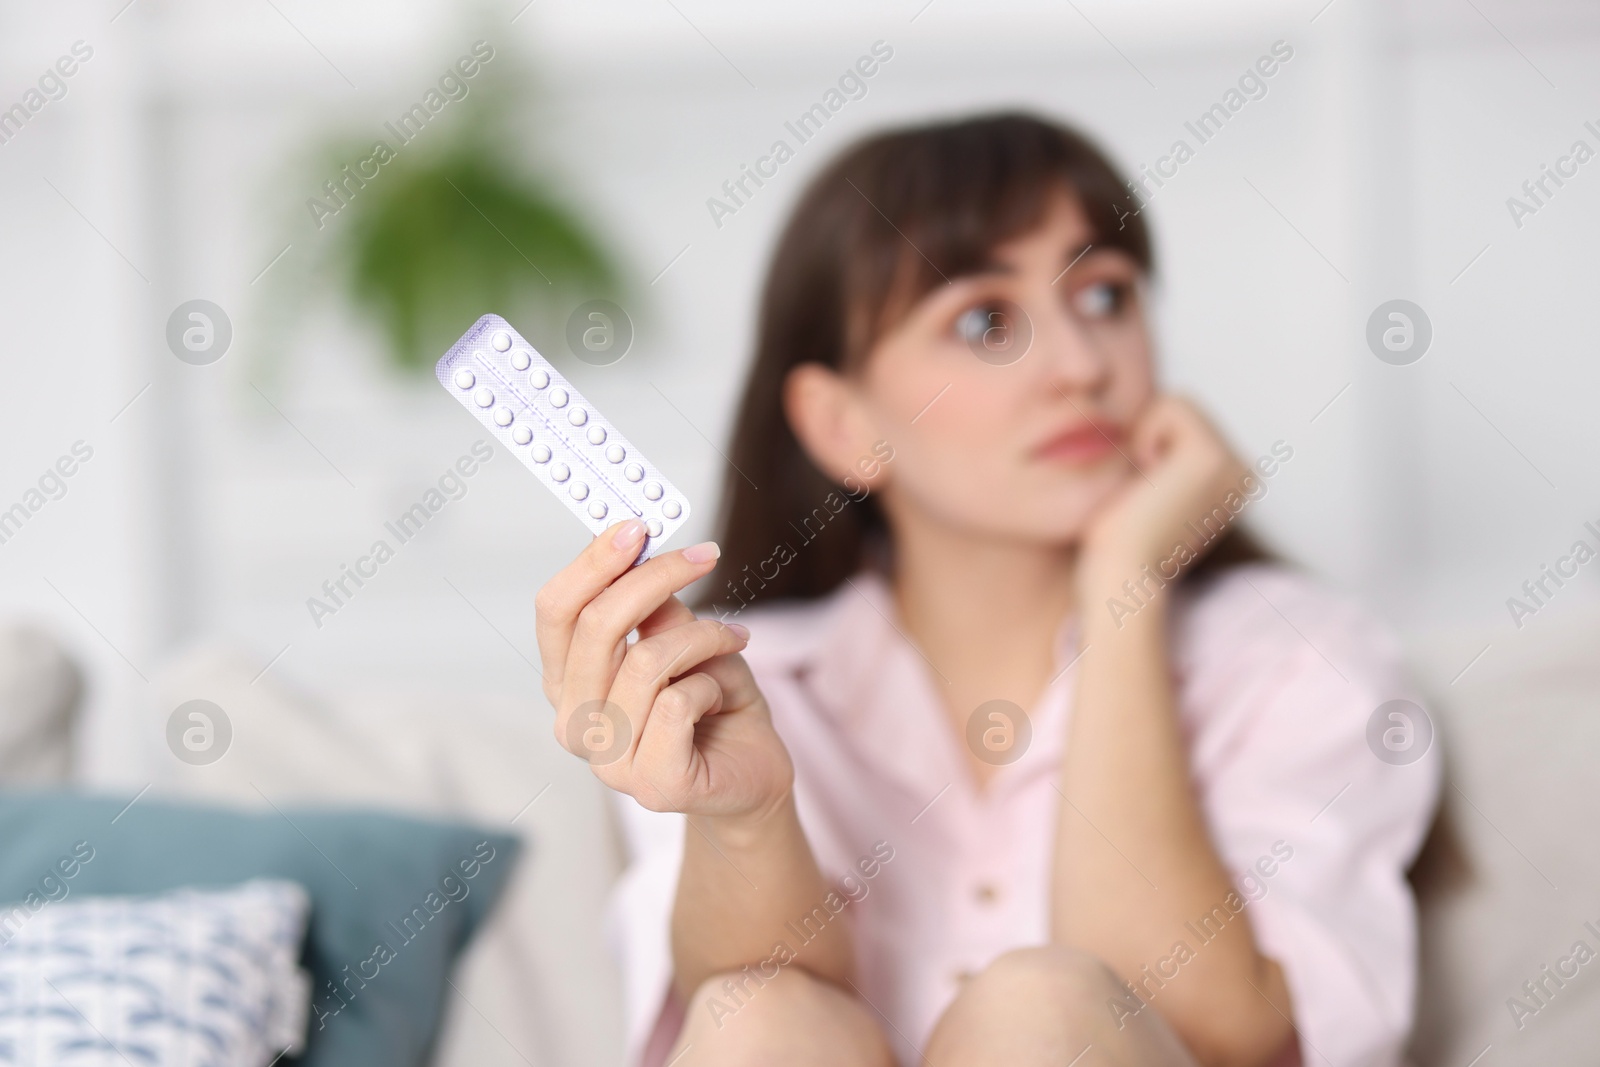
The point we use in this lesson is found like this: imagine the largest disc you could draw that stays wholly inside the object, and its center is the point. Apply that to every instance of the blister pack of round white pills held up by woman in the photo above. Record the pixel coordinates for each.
(548, 425)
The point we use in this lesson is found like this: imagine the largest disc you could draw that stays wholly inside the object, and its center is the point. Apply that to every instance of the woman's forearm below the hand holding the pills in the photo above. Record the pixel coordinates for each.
(751, 895)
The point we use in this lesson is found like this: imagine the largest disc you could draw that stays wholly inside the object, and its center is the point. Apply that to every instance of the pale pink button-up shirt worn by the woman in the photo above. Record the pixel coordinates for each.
(1278, 679)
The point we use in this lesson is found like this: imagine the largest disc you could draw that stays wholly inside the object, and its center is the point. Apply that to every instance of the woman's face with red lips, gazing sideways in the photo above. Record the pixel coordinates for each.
(1009, 394)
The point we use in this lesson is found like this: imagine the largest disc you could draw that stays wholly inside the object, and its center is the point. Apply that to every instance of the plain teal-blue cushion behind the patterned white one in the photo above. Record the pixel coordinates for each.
(394, 900)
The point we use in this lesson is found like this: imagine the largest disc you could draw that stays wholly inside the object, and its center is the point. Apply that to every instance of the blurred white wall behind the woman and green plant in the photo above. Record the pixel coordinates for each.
(1390, 143)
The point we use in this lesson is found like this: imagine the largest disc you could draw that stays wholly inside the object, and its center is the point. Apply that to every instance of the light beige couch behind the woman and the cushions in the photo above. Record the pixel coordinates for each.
(1508, 879)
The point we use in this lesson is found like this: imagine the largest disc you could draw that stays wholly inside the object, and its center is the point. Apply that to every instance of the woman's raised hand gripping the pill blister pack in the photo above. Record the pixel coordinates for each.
(674, 721)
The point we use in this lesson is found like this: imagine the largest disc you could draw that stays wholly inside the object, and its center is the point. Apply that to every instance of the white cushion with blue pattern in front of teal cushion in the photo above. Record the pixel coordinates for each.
(186, 980)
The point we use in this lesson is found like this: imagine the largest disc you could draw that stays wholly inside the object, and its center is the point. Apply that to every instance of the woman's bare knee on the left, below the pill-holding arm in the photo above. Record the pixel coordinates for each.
(790, 1020)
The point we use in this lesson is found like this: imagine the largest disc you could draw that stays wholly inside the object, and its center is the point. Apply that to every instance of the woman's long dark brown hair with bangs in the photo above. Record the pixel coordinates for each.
(886, 223)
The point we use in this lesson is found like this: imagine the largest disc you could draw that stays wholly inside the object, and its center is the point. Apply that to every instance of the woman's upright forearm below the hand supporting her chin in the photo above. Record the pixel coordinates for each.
(1134, 858)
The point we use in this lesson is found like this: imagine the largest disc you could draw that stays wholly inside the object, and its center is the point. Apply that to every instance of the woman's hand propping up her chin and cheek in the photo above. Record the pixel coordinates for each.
(1186, 473)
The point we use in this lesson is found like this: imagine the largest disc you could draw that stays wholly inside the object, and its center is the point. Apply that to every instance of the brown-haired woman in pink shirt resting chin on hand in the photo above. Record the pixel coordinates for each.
(1001, 746)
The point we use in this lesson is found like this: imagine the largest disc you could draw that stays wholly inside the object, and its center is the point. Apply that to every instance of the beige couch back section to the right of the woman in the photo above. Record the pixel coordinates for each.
(1518, 721)
